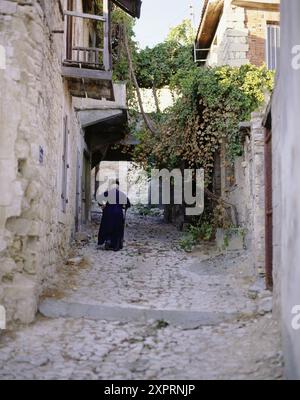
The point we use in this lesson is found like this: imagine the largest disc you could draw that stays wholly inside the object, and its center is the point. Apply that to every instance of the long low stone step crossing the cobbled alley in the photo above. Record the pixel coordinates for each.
(185, 319)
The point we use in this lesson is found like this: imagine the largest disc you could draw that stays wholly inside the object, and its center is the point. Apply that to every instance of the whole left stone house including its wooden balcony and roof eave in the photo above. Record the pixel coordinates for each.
(51, 52)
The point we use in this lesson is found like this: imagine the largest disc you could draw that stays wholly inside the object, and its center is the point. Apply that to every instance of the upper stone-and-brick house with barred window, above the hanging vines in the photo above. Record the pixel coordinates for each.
(237, 32)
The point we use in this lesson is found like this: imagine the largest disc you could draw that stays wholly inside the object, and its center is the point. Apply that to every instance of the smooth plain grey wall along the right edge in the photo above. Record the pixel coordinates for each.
(286, 186)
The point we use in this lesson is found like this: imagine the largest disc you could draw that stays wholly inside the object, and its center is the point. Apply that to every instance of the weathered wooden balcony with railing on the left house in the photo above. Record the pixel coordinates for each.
(86, 66)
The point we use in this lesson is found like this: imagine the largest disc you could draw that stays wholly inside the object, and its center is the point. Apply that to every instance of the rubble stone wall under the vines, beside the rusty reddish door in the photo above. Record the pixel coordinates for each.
(247, 191)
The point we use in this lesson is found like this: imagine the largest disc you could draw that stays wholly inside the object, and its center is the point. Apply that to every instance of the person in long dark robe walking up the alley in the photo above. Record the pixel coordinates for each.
(111, 232)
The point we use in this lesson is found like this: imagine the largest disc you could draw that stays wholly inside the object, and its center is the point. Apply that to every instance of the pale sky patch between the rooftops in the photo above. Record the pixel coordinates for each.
(158, 16)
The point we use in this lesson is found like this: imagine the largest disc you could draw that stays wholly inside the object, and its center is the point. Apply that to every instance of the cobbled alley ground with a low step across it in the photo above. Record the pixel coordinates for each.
(150, 311)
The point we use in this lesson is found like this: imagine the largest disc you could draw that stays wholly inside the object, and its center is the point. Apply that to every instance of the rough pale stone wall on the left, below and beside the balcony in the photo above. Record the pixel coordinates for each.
(34, 232)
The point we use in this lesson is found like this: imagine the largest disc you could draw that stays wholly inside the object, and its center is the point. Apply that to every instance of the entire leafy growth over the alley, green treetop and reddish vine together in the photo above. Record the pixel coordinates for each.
(210, 103)
